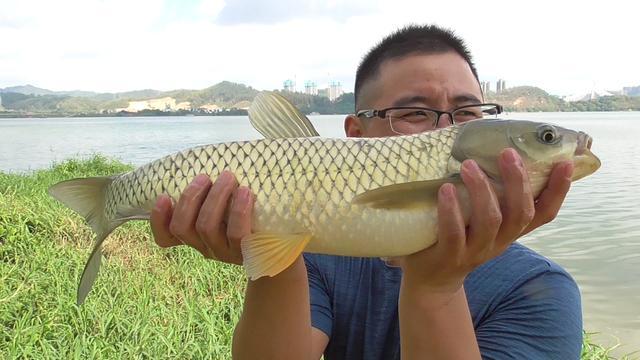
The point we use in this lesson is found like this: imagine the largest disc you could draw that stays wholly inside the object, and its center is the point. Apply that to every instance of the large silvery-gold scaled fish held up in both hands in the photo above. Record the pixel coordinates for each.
(369, 197)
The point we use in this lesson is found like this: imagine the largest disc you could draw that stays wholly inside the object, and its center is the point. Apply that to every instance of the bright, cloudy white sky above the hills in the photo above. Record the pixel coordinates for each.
(563, 46)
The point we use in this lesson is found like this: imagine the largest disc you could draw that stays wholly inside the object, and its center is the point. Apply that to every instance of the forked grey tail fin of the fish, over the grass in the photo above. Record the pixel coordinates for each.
(87, 197)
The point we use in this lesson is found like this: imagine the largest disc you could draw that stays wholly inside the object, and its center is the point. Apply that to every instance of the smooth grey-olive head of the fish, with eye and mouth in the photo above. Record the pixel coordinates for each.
(540, 146)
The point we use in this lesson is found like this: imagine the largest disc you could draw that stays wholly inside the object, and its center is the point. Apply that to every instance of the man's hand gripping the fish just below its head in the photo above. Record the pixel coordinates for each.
(443, 267)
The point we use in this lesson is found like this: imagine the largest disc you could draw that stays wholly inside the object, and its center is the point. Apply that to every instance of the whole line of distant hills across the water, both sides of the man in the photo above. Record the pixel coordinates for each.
(233, 98)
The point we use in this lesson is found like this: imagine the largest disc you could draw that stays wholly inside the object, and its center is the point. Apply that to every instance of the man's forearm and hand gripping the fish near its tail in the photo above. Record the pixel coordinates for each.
(275, 323)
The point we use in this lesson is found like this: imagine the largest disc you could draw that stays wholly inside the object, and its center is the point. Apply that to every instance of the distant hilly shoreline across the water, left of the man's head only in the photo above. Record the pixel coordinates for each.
(220, 98)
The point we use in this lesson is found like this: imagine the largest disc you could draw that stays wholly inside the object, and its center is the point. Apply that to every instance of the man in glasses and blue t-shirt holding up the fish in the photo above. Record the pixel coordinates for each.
(473, 294)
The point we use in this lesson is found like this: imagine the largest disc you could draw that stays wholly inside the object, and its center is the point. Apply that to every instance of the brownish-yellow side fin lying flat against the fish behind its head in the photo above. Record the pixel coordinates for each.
(405, 195)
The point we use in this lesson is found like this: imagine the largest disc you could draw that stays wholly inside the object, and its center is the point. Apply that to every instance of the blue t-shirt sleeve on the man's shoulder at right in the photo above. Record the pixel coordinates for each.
(540, 319)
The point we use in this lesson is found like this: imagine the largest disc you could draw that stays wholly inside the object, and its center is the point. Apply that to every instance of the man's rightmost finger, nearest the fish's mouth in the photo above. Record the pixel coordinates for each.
(552, 197)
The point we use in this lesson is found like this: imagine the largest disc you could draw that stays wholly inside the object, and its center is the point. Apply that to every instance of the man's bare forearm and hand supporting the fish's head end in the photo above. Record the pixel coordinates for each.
(434, 314)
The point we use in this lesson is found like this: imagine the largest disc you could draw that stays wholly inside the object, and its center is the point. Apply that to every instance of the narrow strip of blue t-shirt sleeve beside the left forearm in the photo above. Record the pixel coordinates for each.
(321, 314)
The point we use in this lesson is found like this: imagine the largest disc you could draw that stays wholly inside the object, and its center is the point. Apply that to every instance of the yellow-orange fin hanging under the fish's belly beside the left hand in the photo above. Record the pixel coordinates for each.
(267, 254)
